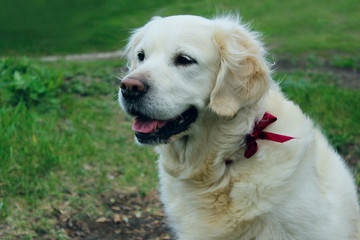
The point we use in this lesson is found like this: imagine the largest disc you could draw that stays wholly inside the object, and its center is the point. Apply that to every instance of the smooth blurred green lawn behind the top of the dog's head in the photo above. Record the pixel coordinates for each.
(298, 27)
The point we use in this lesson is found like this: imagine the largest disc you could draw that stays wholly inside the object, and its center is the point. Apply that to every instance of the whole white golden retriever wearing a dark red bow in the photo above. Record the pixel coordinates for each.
(201, 91)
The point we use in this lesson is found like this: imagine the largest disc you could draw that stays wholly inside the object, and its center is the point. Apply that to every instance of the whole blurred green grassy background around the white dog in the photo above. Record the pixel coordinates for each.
(65, 146)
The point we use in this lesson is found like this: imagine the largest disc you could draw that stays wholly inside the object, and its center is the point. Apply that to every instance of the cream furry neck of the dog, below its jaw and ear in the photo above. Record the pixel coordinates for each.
(211, 141)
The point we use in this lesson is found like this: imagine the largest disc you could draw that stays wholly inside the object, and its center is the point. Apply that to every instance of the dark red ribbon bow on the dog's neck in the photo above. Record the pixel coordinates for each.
(258, 133)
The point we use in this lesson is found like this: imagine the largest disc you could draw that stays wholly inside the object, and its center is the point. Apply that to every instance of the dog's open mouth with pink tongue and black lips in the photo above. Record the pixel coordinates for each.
(152, 131)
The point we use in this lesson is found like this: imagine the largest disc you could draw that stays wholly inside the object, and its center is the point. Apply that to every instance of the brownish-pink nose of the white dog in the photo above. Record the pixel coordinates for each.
(133, 87)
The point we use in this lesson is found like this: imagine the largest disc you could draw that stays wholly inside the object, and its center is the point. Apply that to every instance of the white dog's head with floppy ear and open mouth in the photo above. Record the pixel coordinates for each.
(181, 65)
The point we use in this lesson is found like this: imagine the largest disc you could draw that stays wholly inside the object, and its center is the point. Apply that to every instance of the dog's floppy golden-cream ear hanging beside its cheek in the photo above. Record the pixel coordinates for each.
(244, 75)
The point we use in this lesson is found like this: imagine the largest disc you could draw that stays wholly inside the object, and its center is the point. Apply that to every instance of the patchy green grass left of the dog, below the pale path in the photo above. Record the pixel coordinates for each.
(67, 151)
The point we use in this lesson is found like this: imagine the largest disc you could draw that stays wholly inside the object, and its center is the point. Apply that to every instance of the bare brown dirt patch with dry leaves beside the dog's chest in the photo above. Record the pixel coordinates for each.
(131, 217)
